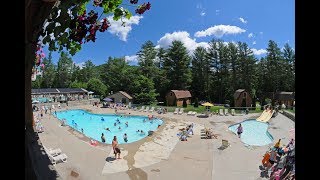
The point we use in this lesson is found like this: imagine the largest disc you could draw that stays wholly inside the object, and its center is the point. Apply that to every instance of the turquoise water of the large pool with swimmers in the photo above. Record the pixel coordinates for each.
(93, 125)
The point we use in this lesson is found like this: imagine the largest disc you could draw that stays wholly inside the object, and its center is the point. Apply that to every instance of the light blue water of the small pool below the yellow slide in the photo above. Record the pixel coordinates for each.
(255, 133)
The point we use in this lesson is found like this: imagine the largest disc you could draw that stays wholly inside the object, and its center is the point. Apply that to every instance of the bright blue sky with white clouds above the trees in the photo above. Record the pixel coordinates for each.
(195, 23)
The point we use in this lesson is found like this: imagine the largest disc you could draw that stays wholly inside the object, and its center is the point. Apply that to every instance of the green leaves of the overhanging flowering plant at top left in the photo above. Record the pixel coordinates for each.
(59, 22)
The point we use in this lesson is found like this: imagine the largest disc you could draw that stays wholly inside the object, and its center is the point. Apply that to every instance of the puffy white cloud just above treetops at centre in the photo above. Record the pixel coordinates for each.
(182, 36)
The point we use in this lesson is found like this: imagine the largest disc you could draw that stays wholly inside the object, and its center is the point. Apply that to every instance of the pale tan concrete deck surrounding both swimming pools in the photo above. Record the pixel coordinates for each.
(162, 156)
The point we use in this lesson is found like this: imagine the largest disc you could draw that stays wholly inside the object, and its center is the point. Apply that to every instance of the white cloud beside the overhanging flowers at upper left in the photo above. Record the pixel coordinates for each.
(123, 31)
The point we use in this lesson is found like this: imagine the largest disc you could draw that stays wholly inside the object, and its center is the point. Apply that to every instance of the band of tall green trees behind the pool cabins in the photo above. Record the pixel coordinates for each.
(211, 74)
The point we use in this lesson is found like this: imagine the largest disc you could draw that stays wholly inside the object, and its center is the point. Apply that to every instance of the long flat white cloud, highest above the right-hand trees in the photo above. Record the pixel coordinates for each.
(219, 31)
